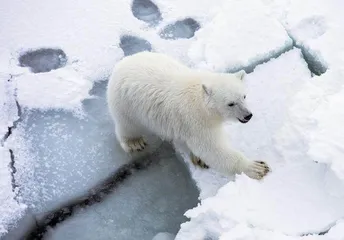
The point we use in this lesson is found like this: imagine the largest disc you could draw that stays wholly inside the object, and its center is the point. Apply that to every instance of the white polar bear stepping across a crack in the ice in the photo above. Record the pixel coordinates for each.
(151, 92)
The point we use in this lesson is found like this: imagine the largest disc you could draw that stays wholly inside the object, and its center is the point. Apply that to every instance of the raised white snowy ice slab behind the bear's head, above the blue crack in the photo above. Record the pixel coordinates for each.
(240, 36)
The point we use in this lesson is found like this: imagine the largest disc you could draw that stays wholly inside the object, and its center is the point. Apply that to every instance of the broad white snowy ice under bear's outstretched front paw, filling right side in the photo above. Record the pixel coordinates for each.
(299, 134)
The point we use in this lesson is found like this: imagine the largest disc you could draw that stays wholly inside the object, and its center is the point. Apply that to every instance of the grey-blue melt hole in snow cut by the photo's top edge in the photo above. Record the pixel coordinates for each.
(147, 11)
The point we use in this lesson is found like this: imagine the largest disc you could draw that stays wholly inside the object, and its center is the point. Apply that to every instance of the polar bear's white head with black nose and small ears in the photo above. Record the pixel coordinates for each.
(225, 96)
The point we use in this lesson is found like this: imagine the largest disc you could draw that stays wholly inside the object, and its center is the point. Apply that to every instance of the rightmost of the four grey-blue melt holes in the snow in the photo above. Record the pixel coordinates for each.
(180, 29)
